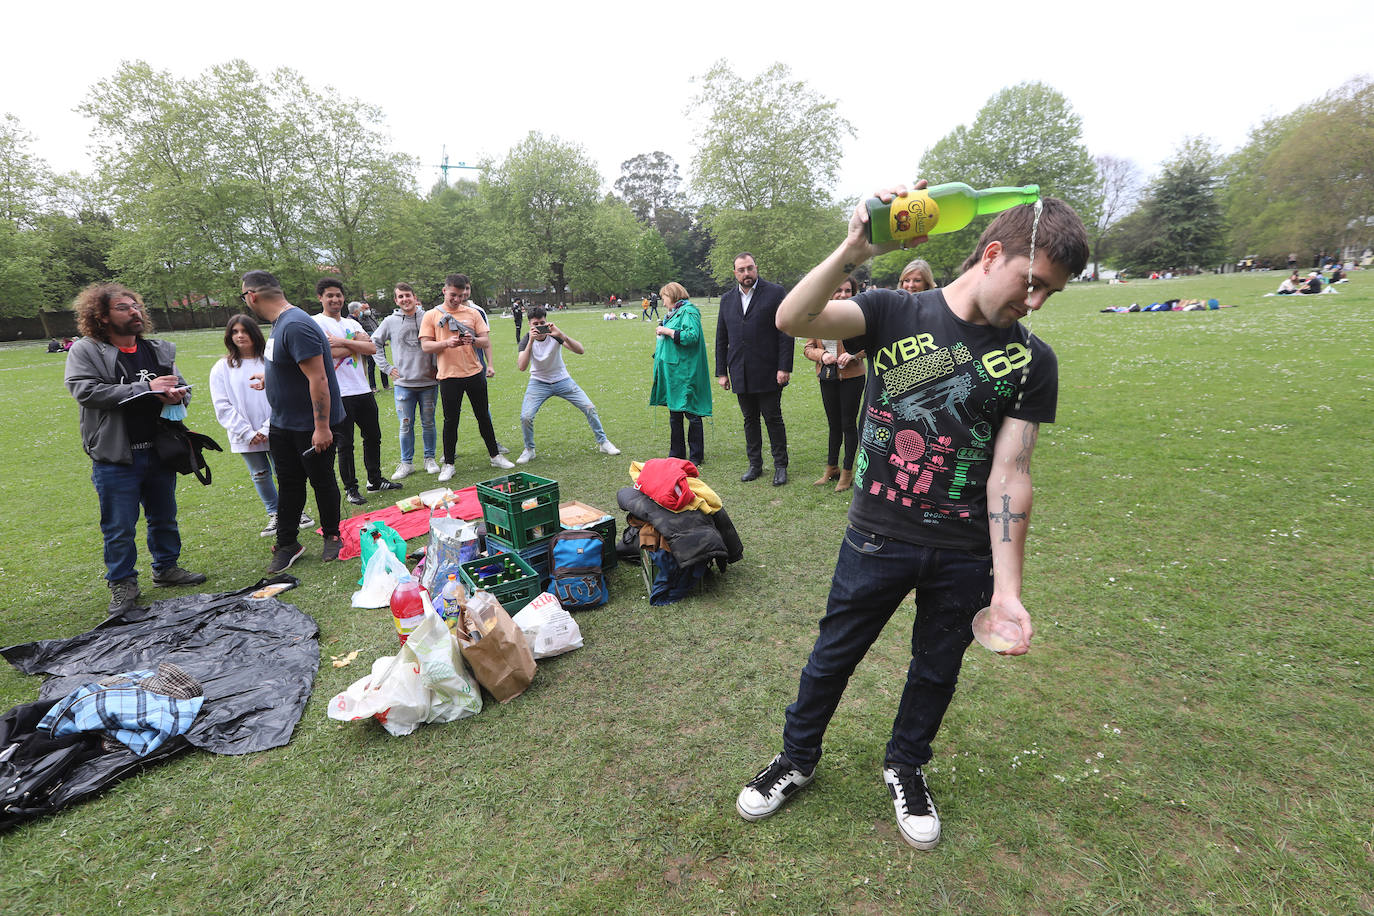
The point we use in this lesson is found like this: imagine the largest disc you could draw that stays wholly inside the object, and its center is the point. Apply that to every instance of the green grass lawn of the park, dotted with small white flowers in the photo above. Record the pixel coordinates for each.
(1184, 738)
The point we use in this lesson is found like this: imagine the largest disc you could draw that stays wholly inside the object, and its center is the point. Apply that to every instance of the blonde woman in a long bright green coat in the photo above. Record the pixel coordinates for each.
(682, 378)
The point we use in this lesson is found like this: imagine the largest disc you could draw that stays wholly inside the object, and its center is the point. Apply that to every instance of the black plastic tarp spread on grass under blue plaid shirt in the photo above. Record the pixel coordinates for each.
(256, 660)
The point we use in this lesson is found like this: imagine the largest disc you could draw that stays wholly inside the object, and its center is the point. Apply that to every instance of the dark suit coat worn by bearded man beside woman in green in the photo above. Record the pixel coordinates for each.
(750, 348)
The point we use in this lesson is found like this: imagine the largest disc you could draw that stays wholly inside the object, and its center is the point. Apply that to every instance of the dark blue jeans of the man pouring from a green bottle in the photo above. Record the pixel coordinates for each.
(873, 575)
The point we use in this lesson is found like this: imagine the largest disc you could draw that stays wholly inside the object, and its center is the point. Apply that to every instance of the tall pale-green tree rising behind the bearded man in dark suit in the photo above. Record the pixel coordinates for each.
(766, 168)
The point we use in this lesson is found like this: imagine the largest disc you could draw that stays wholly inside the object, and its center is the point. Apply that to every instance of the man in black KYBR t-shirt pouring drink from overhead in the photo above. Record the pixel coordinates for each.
(956, 396)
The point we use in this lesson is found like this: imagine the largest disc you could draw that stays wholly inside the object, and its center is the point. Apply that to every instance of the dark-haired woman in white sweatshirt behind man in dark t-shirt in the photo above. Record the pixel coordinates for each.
(243, 410)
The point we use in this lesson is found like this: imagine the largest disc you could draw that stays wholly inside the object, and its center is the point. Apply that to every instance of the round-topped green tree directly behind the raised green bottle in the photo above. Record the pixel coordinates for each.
(1027, 134)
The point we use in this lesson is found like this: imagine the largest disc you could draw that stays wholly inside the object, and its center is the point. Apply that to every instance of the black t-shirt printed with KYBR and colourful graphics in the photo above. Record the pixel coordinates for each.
(938, 392)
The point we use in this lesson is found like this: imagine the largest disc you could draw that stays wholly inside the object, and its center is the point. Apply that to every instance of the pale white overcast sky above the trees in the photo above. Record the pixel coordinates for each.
(618, 78)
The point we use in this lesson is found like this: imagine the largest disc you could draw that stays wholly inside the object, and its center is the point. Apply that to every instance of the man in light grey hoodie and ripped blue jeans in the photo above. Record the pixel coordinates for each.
(414, 374)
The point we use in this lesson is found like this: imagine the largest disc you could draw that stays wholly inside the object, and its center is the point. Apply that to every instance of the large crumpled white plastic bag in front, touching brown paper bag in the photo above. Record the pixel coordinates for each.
(427, 682)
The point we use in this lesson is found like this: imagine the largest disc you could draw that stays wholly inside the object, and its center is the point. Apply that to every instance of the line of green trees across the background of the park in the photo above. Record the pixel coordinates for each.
(197, 181)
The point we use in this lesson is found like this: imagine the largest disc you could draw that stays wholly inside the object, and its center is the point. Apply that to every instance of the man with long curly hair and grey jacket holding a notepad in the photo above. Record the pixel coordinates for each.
(123, 381)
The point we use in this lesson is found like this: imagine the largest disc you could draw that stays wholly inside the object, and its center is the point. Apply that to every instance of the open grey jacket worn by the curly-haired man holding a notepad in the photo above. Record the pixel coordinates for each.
(93, 366)
